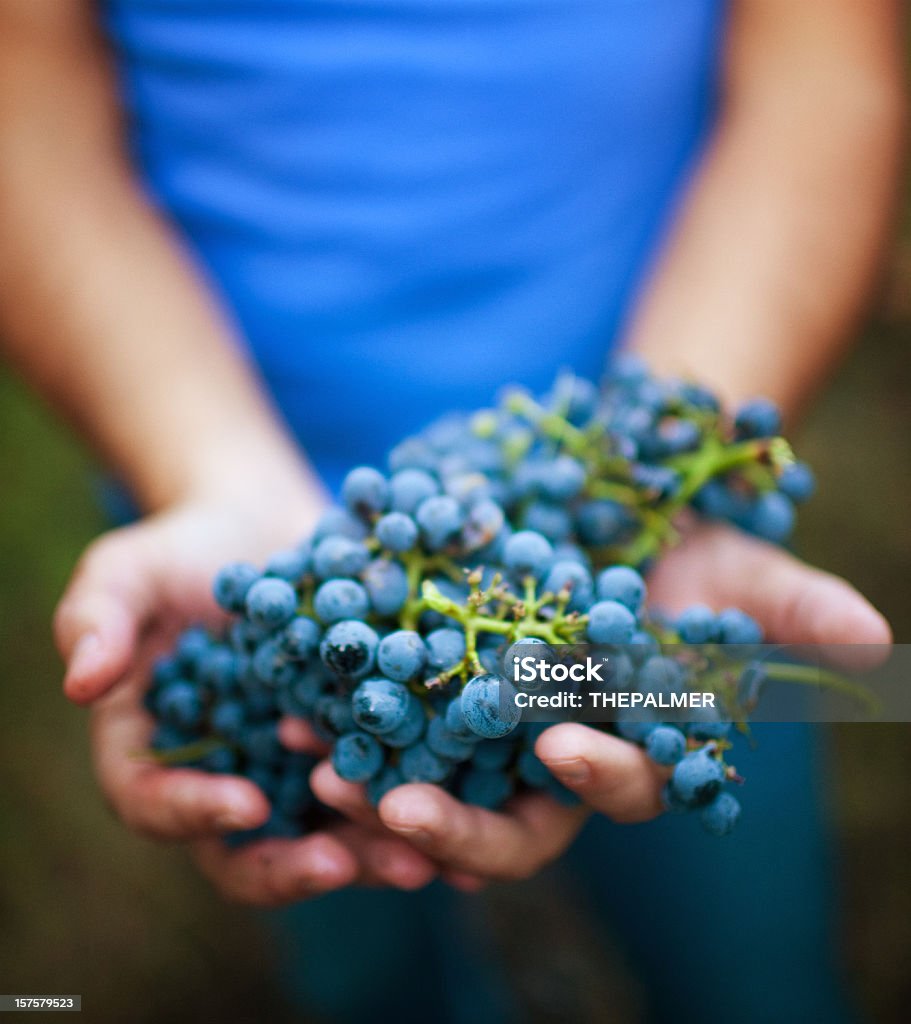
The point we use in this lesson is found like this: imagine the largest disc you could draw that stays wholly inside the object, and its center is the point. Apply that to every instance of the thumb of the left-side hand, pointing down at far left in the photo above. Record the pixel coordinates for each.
(102, 614)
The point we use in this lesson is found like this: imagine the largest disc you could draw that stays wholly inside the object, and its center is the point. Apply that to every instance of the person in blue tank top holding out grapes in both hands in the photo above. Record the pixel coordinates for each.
(249, 244)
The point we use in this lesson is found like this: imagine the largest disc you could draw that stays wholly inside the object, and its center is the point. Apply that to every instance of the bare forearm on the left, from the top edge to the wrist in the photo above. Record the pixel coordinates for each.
(101, 309)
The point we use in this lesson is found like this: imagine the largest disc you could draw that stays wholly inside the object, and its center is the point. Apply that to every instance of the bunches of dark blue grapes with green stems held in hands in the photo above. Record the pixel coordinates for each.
(520, 529)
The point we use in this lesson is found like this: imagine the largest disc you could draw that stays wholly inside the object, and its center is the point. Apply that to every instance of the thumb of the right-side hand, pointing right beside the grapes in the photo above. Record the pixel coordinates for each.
(795, 603)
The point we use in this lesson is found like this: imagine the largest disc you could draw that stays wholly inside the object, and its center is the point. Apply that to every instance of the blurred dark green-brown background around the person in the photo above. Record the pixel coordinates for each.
(85, 908)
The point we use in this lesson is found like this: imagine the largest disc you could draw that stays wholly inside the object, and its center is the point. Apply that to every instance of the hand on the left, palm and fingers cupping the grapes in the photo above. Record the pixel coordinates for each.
(133, 592)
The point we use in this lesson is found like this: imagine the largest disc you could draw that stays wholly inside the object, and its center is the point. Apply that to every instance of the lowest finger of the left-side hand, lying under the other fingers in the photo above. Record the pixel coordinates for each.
(272, 873)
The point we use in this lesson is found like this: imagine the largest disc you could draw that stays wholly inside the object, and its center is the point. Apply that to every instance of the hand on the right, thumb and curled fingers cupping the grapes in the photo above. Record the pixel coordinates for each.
(716, 566)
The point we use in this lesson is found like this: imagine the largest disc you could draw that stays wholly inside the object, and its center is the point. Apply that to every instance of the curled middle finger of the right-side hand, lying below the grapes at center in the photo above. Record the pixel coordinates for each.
(475, 841)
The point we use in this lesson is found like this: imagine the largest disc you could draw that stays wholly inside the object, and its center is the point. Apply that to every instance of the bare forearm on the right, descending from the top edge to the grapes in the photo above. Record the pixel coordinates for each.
(778, 244)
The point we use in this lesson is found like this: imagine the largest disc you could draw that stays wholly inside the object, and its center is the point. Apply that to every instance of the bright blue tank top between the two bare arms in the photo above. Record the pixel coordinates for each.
(406, 204)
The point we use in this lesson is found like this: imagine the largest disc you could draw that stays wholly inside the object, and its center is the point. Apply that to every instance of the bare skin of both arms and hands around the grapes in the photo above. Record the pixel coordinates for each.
(770, 263)
